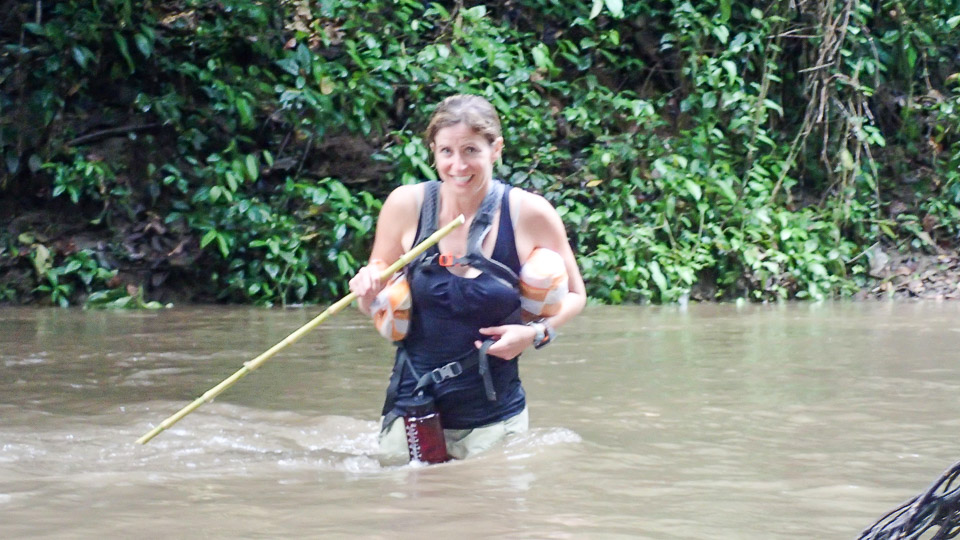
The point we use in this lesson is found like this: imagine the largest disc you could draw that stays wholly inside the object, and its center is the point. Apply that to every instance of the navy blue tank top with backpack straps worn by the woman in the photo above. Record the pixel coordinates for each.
(448, 311)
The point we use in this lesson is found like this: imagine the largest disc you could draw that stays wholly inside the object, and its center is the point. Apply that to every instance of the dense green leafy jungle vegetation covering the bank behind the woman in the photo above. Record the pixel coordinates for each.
(237, 150)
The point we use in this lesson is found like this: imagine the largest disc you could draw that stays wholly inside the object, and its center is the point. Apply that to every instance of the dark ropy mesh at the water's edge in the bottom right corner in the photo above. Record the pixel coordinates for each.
(932, 515)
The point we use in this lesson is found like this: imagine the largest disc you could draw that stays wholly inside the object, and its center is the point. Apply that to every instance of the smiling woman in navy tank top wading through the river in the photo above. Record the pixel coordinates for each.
(466, 333)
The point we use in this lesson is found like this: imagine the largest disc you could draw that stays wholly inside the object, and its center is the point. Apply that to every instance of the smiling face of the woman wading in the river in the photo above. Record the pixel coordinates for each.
(464, 159)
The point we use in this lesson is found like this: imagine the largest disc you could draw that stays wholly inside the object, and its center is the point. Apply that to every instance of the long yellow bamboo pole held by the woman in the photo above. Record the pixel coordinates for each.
(251, 365)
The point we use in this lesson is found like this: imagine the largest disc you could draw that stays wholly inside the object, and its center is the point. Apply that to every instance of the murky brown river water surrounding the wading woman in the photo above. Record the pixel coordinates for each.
(797, 421)
